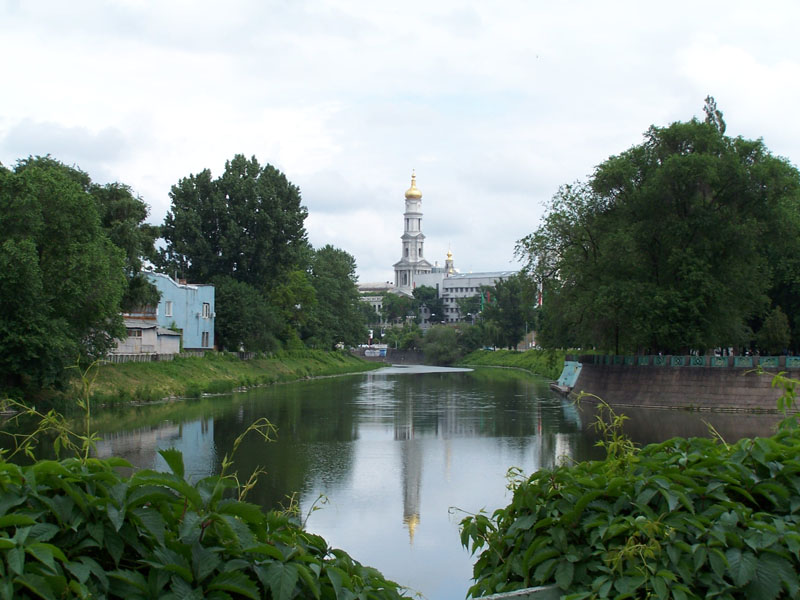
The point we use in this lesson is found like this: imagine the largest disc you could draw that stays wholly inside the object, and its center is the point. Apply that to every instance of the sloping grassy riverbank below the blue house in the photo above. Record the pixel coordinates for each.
(215, 373)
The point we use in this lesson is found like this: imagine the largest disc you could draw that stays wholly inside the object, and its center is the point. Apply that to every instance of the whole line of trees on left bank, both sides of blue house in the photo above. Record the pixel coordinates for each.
(72, 252)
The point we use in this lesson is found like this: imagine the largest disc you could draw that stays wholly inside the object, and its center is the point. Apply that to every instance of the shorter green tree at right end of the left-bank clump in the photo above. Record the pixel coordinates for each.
(338, 314)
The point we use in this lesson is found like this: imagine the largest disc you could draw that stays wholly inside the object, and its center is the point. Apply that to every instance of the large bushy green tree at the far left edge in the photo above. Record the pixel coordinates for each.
(61, 277)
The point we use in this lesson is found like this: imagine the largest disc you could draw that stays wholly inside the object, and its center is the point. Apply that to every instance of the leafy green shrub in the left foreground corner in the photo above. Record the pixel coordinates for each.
(76, 528)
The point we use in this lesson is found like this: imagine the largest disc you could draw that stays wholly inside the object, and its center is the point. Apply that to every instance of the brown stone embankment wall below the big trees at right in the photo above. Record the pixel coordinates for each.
(699, 387)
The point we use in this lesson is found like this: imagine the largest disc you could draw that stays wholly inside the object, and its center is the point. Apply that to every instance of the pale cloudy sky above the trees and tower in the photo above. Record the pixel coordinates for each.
(494, 105)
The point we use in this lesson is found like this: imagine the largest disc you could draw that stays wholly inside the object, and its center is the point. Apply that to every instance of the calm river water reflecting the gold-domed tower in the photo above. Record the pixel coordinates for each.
(385, 464)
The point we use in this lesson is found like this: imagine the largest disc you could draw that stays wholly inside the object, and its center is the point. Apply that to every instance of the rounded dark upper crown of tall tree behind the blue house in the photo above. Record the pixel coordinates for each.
(247, 224)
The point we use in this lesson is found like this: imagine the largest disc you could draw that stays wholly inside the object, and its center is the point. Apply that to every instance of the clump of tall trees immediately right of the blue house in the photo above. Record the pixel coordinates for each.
(244, 231)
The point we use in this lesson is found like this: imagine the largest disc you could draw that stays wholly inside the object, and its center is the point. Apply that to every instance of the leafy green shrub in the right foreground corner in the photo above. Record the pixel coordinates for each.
(683, 519)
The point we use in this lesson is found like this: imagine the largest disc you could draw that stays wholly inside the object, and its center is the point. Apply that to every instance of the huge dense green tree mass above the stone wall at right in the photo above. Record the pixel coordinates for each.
(685, 241)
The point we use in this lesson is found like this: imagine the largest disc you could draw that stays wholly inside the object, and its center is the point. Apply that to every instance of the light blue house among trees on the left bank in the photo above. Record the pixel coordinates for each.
(188, 307)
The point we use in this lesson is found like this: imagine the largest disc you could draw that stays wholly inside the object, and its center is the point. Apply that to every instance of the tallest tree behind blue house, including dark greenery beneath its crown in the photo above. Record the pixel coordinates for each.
(246, 225)
